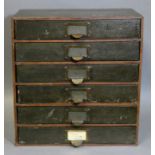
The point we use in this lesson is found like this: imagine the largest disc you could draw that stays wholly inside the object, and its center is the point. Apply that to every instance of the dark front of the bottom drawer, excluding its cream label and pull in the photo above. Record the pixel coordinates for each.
(95, 135)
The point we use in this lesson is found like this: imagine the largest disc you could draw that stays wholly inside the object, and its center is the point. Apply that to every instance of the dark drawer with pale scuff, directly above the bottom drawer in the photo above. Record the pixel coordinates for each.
(77, 116)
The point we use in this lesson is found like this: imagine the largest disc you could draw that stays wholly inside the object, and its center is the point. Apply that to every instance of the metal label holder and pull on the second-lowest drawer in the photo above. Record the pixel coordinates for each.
(77, 118)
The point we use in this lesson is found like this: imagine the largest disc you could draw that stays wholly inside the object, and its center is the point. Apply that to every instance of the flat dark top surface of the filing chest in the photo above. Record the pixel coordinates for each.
(79, 13)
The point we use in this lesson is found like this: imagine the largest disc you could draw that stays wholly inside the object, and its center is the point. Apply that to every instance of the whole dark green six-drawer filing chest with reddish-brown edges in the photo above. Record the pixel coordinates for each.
(77, 76)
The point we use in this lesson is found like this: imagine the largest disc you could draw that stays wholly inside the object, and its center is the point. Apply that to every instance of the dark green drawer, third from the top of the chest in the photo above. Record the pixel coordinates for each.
(77, 74)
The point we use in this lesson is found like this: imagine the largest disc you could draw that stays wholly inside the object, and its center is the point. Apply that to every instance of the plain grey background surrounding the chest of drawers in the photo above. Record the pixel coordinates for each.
(143, 7)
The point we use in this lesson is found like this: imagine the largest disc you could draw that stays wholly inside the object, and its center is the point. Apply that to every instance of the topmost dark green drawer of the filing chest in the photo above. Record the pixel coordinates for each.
(93, 29)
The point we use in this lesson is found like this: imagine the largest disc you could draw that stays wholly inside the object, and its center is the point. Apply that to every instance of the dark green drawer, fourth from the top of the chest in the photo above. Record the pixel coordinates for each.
(75, 95)
